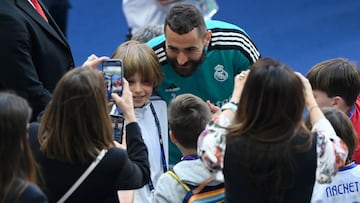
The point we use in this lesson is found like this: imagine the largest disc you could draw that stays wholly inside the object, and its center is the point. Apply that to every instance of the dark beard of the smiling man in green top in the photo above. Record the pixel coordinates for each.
(194, 65)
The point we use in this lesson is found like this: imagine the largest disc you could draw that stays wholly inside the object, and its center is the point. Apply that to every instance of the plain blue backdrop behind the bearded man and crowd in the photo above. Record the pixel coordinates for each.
(299, 33)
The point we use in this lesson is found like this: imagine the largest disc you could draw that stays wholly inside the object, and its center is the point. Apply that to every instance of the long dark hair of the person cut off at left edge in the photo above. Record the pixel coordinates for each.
(17, 162)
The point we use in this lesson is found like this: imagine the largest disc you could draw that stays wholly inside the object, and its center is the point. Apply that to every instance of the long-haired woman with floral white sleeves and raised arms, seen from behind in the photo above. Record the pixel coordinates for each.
(261, 143)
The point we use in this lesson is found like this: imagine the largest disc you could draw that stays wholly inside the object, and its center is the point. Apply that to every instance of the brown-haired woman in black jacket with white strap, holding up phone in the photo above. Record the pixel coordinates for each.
(75, 134)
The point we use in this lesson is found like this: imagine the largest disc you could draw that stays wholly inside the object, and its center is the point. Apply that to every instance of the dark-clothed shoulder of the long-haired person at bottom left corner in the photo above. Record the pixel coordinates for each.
(33, 193)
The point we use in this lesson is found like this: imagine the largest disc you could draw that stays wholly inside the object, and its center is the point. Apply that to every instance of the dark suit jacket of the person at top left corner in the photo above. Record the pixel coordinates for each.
(34, 54)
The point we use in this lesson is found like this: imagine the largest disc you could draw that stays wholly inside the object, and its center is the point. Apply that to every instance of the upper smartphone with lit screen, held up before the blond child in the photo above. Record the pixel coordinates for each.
(113, 76)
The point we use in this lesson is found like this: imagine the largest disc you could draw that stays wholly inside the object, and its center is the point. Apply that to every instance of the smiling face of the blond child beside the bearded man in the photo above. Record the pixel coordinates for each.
(141, 90)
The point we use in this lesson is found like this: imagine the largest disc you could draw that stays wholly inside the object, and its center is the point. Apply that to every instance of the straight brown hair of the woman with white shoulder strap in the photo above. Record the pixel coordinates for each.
(75, 126)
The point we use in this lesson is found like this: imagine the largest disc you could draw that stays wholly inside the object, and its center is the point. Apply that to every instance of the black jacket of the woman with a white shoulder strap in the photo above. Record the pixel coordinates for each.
(118, 170)
